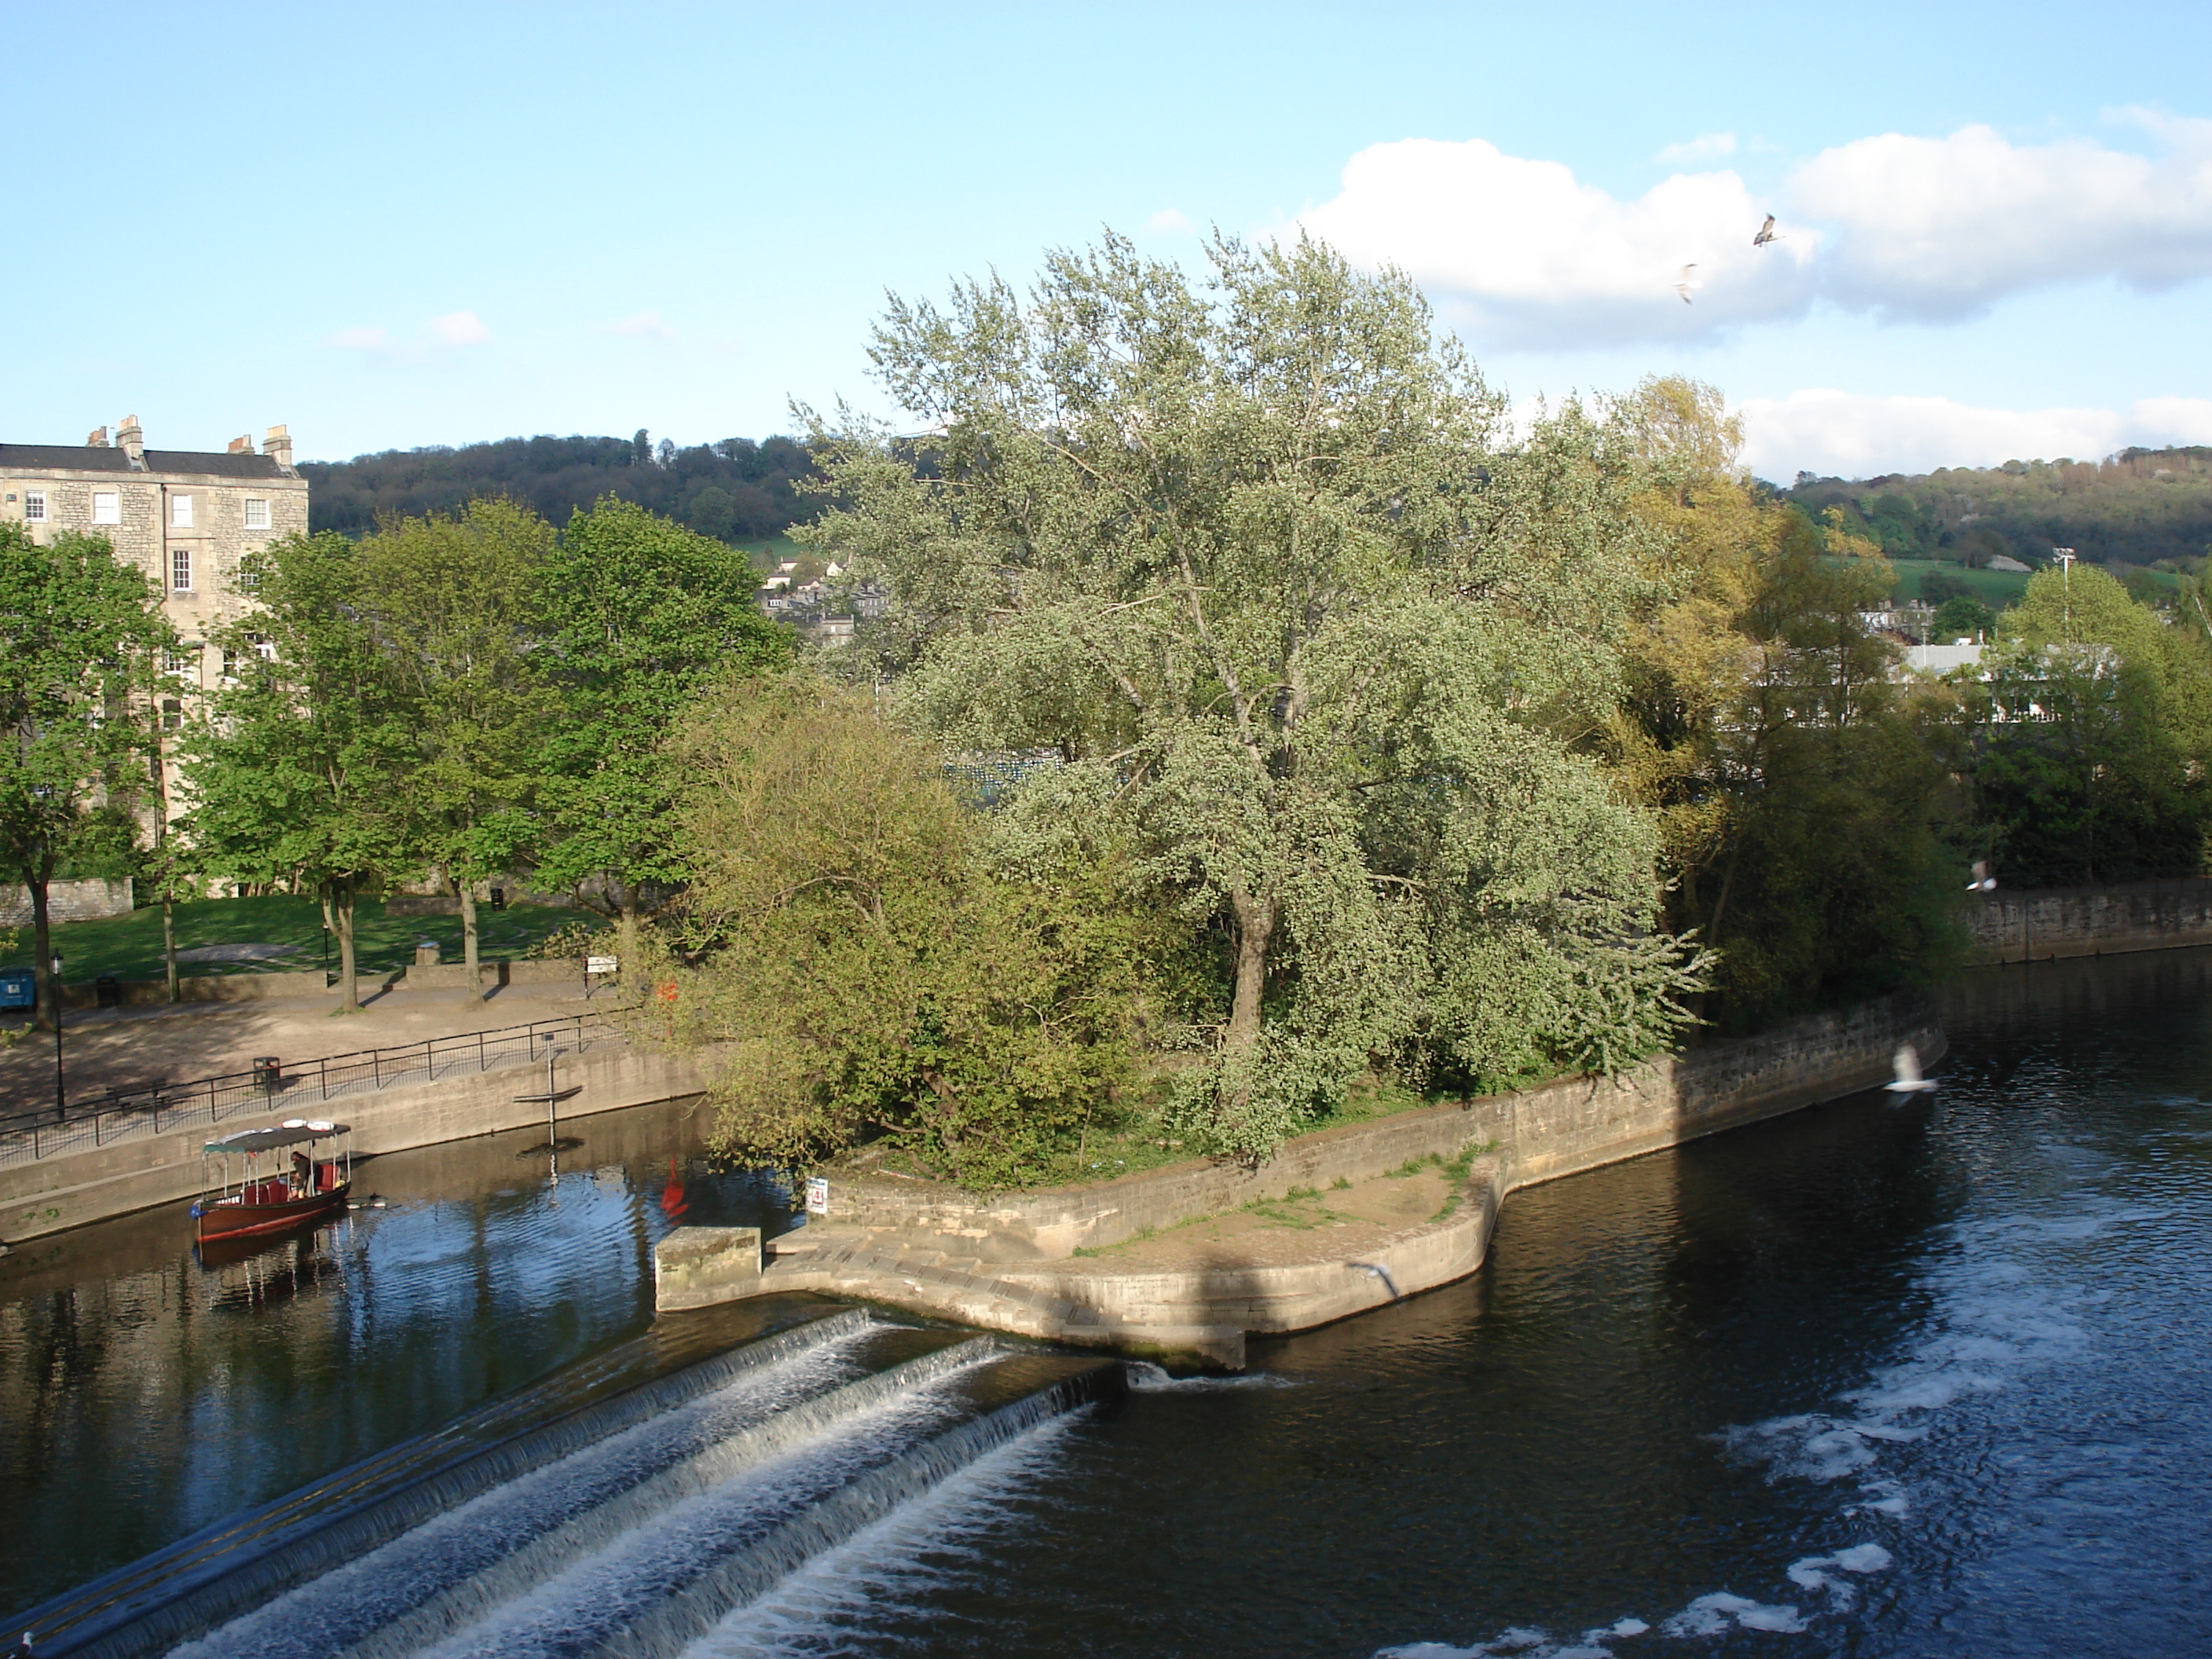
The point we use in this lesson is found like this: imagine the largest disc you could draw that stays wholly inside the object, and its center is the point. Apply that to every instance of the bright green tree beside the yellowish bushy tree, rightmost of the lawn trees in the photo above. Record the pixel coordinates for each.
(638, 616)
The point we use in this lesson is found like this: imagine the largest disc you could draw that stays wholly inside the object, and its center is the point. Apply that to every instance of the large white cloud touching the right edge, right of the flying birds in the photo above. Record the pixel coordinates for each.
(1941, 229)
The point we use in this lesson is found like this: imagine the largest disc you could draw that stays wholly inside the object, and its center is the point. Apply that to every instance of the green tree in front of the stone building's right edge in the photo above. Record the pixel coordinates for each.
(300, 769)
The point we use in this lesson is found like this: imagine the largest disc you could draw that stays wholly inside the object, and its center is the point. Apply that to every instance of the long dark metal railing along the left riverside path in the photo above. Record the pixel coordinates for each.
(160, 1109)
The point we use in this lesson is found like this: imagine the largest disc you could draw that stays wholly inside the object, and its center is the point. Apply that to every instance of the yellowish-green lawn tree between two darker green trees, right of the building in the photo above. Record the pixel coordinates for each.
(455, 607)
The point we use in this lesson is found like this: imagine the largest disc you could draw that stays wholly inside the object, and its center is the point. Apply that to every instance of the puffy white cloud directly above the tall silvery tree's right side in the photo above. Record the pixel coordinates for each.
(1521, 253)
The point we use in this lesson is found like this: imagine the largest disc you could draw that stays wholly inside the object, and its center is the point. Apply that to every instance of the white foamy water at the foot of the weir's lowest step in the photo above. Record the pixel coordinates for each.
(881, 1567)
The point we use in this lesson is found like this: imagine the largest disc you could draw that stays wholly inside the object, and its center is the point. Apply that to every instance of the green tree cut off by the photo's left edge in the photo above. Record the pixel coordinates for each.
(81, 636)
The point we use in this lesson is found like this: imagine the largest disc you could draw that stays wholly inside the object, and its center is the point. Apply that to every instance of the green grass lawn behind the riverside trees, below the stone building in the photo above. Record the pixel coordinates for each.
(129, 948)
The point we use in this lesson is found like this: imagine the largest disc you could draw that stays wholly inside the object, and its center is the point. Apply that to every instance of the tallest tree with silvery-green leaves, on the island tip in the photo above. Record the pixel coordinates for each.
(1262, 567)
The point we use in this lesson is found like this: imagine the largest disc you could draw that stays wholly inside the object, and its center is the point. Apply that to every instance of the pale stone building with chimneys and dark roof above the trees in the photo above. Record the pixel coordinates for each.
(182, 517)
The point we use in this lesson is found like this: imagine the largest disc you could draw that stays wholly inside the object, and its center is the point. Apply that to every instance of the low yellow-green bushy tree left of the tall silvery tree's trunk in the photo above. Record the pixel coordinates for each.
(866, 972)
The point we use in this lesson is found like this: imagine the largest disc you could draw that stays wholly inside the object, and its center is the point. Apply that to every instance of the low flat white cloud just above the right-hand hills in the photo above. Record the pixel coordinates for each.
(1859, 437)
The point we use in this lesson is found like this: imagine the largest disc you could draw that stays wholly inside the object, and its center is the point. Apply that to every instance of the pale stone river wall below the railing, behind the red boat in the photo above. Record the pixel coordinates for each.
(136, 1173)
